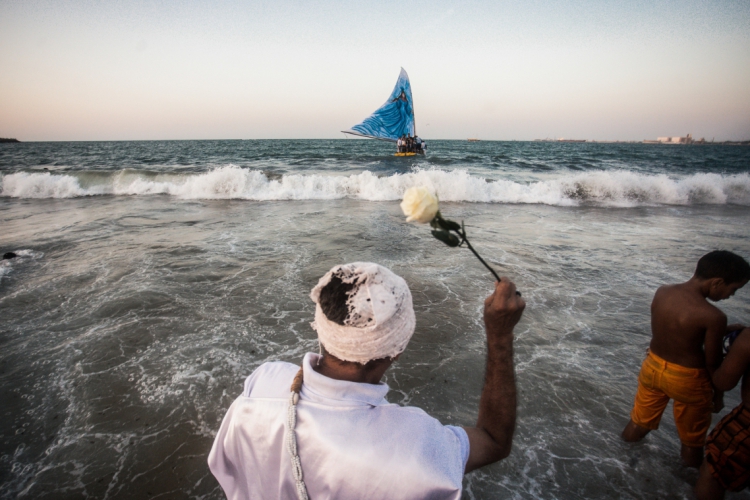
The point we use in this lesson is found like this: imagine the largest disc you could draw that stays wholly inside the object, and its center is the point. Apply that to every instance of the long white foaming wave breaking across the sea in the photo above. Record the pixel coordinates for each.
(611, 188)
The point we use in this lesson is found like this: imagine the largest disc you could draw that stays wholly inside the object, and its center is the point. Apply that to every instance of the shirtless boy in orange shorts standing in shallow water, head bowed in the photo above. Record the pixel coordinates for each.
(686, 341)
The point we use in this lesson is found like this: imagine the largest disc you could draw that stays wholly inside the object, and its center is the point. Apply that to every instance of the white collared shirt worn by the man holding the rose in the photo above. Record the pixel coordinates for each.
(352, 443)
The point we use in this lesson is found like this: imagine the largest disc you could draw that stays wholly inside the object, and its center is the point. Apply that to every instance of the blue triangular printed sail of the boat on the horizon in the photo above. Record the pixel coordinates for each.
(393, 119)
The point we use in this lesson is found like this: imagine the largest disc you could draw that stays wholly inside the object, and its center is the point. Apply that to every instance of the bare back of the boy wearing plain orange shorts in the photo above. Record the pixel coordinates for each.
(680, 318)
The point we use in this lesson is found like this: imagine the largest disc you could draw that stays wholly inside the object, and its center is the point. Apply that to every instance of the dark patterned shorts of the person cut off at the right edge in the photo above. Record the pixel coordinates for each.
(728, 450)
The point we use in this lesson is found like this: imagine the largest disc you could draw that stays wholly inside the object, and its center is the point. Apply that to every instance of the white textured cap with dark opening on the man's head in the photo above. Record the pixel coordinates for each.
(381, 317)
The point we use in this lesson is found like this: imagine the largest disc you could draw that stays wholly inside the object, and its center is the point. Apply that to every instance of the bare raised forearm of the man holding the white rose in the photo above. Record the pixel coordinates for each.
(497, 406)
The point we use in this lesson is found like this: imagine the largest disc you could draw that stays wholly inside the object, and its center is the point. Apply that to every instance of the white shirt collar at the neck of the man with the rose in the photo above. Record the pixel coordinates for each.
(339, 392)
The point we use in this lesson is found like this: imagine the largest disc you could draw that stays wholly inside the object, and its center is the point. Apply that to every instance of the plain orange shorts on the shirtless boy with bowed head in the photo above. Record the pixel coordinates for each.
(691, 389)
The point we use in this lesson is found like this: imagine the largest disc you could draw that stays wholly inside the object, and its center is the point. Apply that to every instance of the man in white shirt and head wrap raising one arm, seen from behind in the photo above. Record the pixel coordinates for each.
(326, 430)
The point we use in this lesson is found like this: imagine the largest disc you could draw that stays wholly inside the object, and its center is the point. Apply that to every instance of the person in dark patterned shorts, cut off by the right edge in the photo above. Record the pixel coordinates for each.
(727, 464)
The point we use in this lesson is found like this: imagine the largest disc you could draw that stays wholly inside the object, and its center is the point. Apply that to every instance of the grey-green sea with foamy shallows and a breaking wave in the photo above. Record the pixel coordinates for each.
(153, 277)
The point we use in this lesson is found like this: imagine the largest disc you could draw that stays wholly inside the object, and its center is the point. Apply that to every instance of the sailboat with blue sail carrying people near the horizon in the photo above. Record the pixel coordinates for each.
(394, 121)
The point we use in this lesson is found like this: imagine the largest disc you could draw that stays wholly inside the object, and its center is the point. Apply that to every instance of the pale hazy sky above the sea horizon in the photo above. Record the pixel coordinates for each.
(161, 69)
